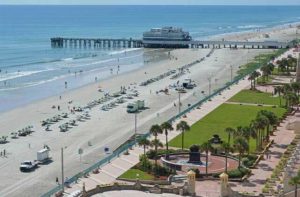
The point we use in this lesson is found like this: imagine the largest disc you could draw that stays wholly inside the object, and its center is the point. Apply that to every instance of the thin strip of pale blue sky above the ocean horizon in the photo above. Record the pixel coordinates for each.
(154, 2)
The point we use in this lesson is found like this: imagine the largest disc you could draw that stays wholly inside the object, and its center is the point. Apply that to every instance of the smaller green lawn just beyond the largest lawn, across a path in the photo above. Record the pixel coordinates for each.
(249, 96)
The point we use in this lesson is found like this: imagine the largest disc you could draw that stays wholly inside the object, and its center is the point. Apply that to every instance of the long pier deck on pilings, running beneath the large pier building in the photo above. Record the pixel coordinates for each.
(61, 42)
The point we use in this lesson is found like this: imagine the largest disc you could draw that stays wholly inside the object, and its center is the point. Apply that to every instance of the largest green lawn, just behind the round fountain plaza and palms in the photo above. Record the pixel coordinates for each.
(227, 115)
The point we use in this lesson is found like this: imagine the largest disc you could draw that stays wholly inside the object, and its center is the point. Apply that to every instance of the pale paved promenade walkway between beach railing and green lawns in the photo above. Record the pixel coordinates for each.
(111, 171)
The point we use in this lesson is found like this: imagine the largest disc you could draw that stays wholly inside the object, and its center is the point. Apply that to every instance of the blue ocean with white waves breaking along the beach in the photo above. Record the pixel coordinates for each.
(31, 70)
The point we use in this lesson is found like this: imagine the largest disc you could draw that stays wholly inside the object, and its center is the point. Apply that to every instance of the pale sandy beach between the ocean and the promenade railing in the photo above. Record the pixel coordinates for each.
(110, 128)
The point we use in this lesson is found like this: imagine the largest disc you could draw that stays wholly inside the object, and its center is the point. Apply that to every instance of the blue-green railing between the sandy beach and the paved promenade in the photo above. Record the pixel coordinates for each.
(131, 143)
